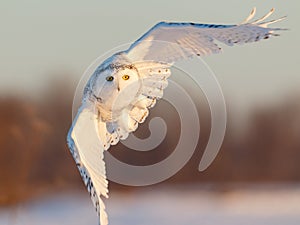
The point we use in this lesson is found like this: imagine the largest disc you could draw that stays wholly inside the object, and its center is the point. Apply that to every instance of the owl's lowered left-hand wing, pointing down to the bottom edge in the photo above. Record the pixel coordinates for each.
(87, 151)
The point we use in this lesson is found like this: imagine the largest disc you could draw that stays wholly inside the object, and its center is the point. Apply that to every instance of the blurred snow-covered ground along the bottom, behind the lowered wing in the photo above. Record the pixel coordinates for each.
(254, 206)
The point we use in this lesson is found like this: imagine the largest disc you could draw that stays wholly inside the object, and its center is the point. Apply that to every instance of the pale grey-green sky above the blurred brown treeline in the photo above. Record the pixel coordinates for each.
(42, 41)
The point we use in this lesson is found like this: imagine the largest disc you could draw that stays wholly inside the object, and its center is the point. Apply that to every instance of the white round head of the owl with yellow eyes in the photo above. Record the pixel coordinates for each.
(114, 87)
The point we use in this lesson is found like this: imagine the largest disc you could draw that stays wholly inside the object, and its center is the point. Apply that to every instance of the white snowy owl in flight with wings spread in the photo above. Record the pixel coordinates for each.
(125, 86)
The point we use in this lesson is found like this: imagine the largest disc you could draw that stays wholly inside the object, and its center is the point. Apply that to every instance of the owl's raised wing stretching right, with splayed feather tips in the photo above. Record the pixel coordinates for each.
(169, 42)
